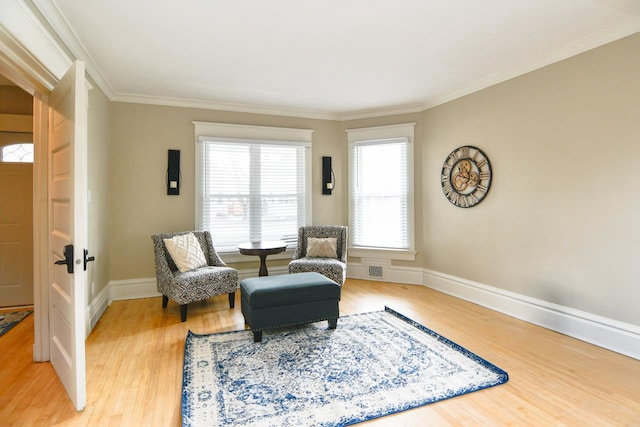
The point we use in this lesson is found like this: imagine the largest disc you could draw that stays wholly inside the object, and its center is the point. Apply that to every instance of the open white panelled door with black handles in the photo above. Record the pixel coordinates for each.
(67, 144)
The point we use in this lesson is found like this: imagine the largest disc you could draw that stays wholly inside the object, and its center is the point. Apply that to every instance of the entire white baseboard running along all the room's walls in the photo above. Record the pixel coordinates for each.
(611, 334)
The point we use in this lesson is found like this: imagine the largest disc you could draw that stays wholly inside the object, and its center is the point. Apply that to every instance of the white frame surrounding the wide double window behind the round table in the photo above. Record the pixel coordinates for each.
(234, 133)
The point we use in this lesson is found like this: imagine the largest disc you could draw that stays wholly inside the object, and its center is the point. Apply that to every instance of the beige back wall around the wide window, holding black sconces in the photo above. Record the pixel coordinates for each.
(140, 207)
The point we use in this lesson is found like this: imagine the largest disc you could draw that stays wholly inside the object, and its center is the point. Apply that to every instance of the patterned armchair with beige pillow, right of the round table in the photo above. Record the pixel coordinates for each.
(317, 254)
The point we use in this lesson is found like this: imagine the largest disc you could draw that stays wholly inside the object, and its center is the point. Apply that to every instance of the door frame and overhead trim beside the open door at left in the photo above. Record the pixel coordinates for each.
(33, 59)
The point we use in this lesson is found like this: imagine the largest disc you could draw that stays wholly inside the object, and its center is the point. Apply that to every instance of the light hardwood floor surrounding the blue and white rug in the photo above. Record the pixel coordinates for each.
(135, 353)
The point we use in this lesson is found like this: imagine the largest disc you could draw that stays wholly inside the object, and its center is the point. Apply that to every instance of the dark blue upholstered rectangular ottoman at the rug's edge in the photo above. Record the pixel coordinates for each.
(290, 299)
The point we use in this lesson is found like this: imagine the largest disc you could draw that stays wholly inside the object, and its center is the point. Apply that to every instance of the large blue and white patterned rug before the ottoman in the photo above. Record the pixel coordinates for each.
(373, 364)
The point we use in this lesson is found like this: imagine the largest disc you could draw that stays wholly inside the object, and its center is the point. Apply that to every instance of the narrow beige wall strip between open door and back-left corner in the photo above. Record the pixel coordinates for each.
(98, 167)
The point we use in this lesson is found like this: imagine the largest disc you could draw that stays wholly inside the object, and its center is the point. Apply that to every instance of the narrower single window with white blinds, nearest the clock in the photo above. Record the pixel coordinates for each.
(381, 188)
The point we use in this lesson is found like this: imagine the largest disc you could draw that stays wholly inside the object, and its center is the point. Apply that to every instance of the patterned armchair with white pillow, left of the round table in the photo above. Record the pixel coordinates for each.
(210, 277)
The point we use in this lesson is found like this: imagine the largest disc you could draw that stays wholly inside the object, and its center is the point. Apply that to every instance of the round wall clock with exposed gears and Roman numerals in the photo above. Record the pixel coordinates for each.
(466, 176)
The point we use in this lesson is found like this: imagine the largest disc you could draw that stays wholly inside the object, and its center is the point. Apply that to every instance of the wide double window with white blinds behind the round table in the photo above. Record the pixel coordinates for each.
(251, 189)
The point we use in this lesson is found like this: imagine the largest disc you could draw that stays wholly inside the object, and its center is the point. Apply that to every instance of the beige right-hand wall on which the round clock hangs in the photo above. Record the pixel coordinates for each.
(561, 221)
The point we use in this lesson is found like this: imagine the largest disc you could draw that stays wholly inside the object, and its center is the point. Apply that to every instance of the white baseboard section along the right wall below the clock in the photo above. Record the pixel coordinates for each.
(611, 334)
